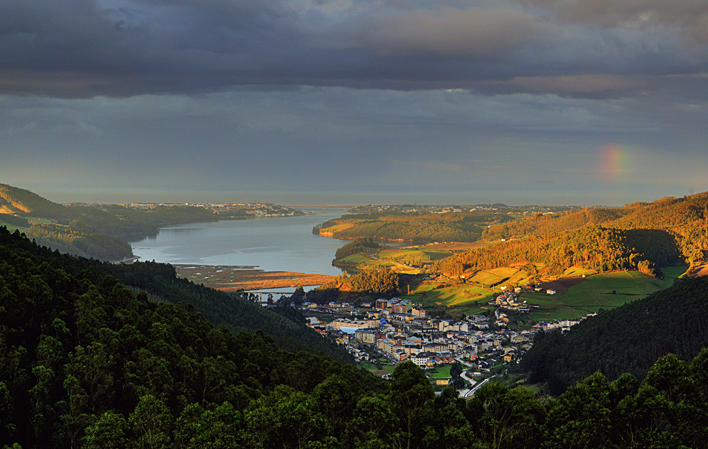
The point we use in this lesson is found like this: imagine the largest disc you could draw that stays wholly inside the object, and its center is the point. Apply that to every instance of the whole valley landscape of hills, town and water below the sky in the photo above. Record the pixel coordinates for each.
(182, 339)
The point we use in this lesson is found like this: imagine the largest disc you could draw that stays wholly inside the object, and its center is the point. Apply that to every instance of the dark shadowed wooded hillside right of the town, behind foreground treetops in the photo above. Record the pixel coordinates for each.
(628, 339)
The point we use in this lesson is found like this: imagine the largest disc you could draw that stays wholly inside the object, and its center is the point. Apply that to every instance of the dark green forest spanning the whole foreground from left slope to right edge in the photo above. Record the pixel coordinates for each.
(91, 358)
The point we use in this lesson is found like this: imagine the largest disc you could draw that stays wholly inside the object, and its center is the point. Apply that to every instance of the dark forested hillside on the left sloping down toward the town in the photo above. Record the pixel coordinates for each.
(85, 362)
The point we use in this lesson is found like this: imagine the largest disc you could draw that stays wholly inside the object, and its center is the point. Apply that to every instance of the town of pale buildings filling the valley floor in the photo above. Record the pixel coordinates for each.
(386, 332)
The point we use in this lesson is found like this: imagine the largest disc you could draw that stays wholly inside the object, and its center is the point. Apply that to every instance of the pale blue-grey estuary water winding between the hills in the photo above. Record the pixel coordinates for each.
(270, 244)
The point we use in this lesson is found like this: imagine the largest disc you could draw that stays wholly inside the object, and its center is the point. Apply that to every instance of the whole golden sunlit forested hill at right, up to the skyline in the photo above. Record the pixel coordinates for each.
(639, 236)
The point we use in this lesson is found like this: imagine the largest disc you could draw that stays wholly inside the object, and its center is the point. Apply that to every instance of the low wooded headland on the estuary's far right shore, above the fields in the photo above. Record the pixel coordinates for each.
(454, 227)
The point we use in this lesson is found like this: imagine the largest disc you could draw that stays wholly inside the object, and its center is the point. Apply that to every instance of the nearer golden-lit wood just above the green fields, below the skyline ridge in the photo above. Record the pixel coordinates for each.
(594, 248)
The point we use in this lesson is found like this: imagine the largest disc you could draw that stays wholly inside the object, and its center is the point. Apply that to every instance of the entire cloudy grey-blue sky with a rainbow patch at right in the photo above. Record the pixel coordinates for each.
(558, 102)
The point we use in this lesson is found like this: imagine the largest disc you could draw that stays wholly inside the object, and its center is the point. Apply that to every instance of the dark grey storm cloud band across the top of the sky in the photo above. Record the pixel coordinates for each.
(79, 48)
